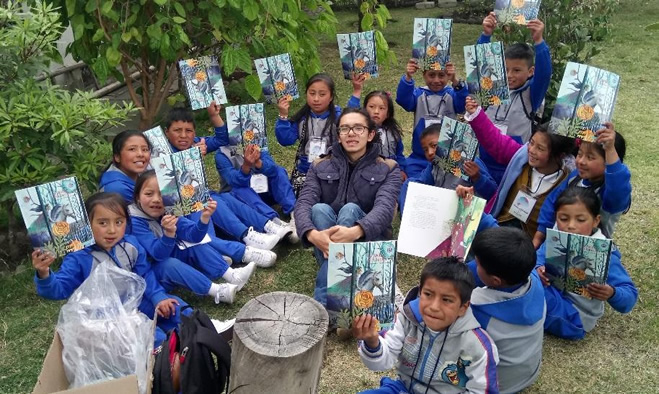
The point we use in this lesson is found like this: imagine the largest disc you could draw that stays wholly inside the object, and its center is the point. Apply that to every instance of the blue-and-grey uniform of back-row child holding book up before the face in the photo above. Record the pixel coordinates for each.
(428, 106)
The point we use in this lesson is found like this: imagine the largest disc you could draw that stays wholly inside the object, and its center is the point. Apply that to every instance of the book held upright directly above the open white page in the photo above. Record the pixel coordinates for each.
(457, 144)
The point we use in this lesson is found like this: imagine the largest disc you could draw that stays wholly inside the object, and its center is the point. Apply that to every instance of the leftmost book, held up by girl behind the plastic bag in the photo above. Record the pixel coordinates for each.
(55, 217)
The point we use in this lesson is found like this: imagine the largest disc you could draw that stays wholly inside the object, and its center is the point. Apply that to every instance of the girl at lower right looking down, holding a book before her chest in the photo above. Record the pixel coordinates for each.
(570, 315)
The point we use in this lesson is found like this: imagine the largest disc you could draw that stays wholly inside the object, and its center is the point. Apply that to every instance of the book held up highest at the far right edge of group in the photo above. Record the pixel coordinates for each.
(585, 101)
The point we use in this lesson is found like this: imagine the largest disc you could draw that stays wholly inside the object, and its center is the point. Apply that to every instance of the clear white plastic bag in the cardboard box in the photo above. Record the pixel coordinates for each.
(103, 335)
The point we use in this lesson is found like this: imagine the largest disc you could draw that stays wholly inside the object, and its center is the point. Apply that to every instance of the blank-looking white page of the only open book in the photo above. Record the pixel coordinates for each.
(428, 213)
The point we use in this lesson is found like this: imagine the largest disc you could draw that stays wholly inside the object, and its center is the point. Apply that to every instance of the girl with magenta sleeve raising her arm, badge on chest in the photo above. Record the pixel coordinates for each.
(533, 170)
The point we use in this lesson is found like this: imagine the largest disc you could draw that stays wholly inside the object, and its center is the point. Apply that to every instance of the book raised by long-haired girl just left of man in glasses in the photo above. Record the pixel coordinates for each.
(277, 78)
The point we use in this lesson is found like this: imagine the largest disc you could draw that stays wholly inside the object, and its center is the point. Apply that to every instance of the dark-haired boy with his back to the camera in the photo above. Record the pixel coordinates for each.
(509, 303)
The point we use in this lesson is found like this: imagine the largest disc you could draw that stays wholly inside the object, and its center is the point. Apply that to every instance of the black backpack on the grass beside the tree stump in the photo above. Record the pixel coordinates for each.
(194, 344)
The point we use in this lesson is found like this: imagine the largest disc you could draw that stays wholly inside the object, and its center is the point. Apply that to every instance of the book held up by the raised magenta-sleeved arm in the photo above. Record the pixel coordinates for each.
(486, 73)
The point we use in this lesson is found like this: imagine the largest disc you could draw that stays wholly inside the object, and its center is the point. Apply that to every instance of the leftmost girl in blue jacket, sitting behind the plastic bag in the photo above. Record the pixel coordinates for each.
(108, 215)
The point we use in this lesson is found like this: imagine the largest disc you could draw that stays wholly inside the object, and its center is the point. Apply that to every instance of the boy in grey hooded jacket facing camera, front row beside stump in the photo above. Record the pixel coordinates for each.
(436, 344)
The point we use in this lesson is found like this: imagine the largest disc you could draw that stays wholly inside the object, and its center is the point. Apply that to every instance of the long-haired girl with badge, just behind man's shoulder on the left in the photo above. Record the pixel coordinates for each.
(314, 125)
